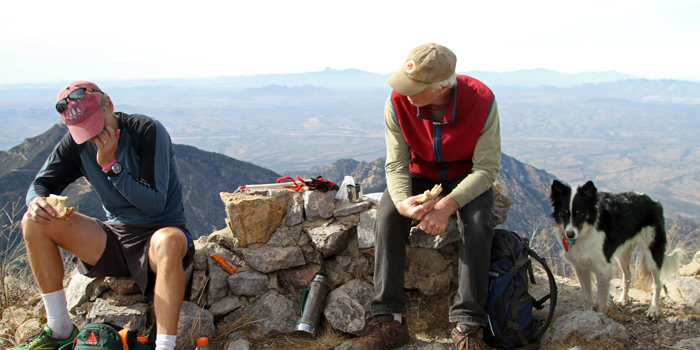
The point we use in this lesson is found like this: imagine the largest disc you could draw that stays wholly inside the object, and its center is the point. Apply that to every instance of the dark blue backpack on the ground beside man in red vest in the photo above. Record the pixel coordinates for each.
(509, 303)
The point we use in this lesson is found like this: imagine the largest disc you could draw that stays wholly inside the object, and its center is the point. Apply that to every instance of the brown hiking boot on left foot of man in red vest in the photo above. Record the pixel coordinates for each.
(382, 332)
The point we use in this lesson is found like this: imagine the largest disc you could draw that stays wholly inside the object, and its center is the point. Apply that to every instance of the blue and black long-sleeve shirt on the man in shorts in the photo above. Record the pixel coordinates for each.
(147, 191)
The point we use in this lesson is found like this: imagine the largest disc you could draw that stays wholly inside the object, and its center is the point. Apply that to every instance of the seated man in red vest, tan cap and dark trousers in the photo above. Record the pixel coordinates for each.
(441, 128)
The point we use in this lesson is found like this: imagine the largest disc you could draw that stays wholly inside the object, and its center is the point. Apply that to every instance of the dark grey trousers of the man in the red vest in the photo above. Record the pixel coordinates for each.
(391, 235)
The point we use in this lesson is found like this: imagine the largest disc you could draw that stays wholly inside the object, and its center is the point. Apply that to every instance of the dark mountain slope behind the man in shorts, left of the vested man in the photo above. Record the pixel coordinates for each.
(203, 174)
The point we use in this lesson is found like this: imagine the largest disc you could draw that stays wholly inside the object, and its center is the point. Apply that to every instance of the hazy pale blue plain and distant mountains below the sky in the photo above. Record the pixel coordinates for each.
(625, 134)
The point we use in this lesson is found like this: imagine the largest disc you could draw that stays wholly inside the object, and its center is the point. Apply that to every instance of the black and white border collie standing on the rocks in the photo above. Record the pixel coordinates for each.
(596, 227)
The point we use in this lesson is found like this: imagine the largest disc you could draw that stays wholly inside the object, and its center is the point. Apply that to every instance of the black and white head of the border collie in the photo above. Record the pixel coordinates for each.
(574, 213)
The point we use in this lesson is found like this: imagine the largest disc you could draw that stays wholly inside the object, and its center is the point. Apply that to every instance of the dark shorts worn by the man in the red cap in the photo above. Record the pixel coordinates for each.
(126, 254)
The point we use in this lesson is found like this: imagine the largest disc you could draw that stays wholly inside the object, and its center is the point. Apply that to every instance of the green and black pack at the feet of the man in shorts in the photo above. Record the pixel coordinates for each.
(107, 336)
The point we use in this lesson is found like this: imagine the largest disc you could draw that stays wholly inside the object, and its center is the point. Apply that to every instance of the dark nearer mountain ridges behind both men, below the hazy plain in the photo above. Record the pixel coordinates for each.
(204, 174)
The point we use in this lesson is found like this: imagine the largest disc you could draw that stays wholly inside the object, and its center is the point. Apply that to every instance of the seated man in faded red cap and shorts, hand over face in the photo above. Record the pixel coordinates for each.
(129, 161)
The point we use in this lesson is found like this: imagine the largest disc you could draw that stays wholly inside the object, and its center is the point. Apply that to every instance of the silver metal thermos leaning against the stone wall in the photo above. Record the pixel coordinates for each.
(311, 305)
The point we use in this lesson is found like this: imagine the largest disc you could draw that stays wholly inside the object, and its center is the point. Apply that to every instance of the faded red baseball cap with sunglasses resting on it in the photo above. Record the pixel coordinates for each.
(83, 117)
